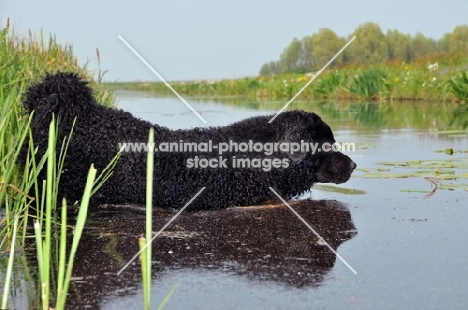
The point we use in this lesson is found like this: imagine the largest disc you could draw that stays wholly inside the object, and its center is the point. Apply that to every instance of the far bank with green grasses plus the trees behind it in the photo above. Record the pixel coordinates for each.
(376, 66)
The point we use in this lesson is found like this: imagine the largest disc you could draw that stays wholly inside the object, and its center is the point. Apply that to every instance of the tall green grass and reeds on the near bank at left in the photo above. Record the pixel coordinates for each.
(24, 60)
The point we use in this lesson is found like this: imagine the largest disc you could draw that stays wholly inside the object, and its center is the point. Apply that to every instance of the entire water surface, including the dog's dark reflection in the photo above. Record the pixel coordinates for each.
(407, 244)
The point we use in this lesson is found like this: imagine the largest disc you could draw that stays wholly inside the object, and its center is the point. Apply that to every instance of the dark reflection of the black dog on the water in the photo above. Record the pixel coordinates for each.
(260, 243)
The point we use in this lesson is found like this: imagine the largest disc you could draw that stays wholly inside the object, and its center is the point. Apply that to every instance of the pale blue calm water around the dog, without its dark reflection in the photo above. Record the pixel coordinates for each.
(409, 250)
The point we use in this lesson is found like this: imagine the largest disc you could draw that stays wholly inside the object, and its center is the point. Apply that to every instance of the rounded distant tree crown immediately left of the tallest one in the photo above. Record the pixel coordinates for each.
(326, 43)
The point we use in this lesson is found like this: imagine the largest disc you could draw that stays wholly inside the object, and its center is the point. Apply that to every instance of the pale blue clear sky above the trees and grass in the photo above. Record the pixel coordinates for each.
(206, 39)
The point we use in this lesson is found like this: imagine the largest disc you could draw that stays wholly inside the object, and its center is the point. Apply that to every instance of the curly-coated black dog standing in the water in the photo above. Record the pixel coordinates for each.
(99, 133)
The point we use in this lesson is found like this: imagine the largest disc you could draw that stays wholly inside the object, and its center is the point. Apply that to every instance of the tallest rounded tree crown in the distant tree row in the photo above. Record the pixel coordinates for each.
(369, 47)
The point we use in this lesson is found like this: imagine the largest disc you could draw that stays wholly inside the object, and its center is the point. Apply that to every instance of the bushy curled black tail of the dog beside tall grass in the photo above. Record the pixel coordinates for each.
(62, 93)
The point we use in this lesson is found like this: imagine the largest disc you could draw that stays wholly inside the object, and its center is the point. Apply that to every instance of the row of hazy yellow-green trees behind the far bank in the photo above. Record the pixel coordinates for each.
(371, 46)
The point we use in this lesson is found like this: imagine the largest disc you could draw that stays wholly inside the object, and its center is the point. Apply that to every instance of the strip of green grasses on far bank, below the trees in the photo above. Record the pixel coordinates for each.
(419, 80)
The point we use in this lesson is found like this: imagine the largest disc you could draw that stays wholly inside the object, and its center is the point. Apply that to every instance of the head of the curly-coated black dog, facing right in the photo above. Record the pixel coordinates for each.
(327, 164)
